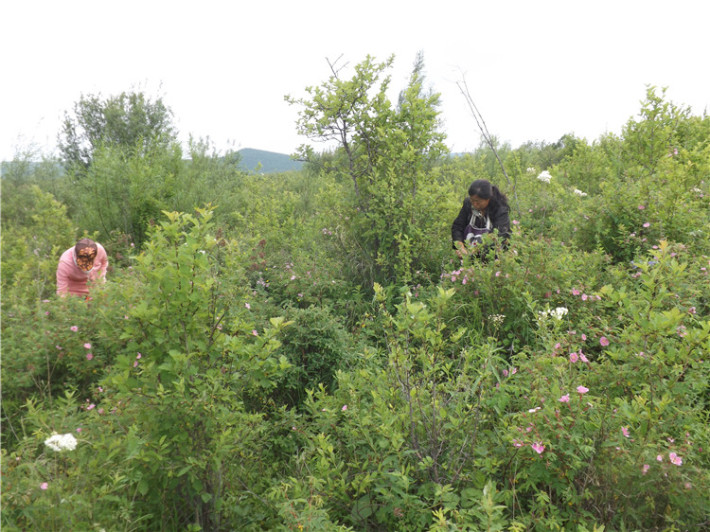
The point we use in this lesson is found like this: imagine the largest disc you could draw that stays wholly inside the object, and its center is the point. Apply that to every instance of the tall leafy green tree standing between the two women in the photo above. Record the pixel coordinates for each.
(389, 151)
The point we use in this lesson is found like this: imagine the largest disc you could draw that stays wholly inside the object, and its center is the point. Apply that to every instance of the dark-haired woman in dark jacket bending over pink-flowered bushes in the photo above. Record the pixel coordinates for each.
(484, 211)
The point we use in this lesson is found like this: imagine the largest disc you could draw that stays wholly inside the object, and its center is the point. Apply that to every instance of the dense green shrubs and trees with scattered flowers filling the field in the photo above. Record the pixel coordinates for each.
(304, 351)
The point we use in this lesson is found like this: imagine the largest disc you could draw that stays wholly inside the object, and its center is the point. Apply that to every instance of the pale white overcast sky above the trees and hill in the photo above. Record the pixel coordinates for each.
(535, 69)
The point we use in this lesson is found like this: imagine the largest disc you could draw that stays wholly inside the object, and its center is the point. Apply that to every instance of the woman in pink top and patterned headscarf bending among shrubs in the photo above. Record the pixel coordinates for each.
(85, 262)
